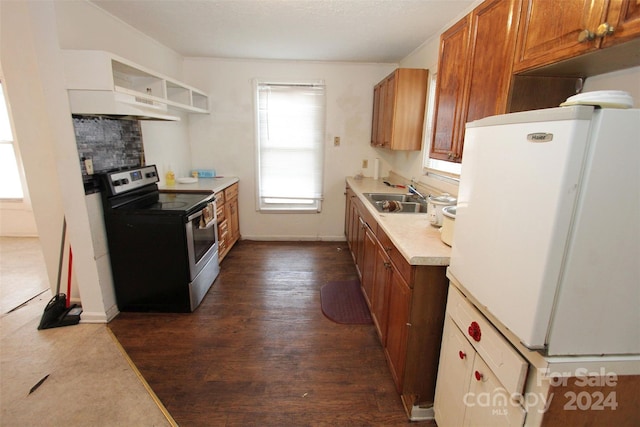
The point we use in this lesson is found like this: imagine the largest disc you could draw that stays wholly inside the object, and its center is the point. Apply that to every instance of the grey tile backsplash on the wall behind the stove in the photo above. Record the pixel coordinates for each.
(109, 144)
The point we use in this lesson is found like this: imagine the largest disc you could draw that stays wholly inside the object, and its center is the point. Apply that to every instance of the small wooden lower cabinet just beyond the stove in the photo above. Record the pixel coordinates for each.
(228, 220)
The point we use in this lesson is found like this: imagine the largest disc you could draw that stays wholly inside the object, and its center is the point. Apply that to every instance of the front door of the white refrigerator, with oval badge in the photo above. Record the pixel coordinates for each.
(516, 200)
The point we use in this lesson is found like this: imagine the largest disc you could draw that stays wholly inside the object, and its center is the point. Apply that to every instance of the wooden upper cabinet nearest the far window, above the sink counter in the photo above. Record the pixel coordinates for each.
(398, 110)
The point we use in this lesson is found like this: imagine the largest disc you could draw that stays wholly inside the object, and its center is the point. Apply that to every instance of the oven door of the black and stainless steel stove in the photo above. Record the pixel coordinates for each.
(202, 240)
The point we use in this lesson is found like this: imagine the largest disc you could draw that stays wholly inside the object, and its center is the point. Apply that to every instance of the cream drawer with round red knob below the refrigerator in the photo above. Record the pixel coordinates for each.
(509, 367)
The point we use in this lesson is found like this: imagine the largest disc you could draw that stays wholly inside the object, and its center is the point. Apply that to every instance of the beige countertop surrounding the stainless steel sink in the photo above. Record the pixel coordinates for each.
(412, 233)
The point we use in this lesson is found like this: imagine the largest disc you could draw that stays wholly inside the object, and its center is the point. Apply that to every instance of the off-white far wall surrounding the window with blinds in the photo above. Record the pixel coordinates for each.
(224, 140)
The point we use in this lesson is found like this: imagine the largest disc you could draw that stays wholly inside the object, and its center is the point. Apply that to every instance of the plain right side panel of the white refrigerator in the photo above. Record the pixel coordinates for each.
(596, 309)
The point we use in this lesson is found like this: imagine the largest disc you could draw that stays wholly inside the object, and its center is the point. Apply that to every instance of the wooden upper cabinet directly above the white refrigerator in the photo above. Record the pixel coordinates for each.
(552, 31)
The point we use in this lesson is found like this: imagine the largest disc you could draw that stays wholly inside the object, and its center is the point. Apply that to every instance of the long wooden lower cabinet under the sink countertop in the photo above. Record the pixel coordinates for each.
(407, 305)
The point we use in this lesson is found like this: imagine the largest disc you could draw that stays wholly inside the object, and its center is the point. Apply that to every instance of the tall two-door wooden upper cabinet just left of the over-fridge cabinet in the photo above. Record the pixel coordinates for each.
(474, 73)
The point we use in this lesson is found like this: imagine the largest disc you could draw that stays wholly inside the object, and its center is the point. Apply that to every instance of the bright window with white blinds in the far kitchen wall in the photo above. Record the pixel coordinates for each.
(290, 132)
